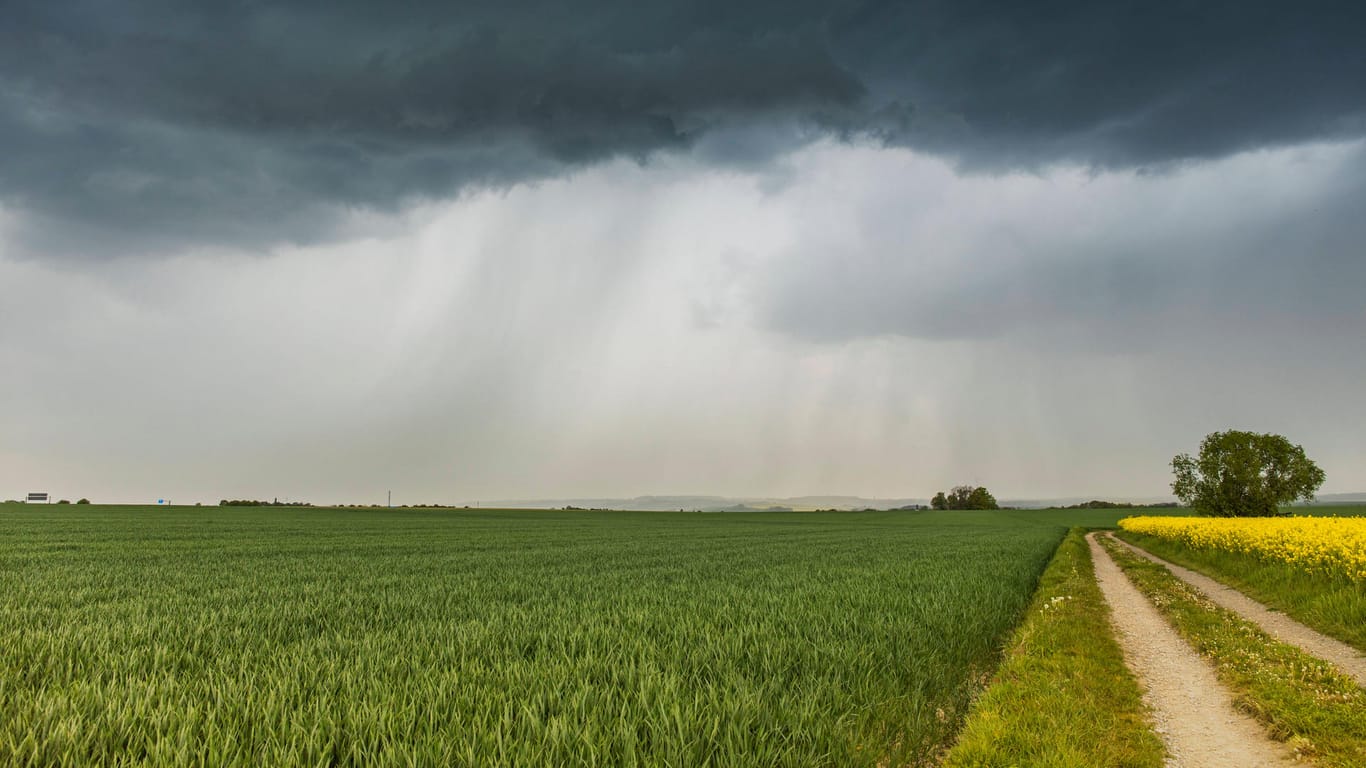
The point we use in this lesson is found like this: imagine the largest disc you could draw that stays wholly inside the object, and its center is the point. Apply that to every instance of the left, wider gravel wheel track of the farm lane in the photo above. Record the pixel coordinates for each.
(1195, 714)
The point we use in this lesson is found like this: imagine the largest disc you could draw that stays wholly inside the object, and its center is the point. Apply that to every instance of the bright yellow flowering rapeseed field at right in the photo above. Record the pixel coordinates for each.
(1323, 546)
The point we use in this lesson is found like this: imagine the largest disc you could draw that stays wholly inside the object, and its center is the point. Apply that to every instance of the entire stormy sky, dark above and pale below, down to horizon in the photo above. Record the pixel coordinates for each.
(547, 251)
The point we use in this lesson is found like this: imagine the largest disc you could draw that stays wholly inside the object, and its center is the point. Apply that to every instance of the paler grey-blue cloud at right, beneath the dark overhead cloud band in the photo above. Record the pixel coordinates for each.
(1121, 263)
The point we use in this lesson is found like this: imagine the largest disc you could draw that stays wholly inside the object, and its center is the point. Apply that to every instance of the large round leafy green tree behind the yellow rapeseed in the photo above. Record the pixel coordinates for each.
(1245, 475)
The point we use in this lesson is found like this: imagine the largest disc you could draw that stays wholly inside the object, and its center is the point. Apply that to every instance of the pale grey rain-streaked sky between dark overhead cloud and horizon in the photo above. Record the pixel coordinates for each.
(876, 325)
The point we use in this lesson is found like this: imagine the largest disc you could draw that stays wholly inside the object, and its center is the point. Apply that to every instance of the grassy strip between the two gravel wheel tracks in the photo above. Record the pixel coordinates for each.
(1298, 698)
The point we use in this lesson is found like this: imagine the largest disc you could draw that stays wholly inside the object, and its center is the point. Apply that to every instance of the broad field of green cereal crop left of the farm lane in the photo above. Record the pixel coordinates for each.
(245, 636)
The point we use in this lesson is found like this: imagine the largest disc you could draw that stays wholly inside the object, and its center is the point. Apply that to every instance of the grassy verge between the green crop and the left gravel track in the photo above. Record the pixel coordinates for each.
(1063, 696)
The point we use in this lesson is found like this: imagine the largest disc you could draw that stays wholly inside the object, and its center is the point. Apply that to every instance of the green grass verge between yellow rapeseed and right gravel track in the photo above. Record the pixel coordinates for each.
(1334, 607)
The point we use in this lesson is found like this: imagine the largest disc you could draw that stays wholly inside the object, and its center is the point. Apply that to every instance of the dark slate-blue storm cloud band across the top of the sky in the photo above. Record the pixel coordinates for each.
(145, 125)
